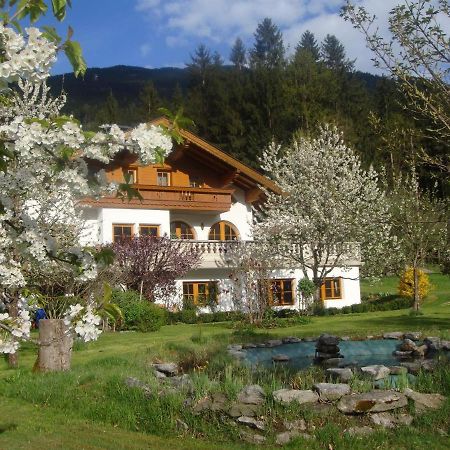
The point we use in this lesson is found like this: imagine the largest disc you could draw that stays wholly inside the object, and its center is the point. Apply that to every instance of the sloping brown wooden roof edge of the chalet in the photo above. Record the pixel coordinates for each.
(244, 174)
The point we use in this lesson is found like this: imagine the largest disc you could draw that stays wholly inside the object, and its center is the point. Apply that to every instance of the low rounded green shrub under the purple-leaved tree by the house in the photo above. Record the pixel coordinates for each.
(139, 315)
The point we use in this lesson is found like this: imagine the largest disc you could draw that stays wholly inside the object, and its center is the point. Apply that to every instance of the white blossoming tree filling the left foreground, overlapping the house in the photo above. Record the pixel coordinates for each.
(44, 176)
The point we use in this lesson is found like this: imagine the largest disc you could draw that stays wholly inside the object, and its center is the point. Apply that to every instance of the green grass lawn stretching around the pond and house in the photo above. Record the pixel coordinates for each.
(90, 408)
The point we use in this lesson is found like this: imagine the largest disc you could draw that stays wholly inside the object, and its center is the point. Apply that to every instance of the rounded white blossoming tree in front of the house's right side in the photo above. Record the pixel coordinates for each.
(328, 203)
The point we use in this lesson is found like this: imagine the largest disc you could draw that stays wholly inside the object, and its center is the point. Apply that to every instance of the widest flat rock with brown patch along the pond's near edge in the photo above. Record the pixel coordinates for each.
(374, 401)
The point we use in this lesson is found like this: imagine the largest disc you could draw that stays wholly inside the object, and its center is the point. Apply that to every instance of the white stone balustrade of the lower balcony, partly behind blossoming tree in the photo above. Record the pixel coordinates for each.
(216, 254)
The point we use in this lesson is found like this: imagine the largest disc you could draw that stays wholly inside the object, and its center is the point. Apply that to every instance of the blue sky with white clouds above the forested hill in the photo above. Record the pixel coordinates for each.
(157, 33)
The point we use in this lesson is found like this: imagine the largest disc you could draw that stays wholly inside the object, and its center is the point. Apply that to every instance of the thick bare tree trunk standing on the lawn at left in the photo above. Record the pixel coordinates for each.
(55, 346)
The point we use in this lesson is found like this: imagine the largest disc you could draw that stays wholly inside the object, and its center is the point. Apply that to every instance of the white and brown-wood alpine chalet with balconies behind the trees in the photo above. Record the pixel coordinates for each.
(204, 197)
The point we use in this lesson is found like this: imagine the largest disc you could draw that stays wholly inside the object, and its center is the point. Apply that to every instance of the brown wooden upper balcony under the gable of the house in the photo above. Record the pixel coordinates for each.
(173, 198)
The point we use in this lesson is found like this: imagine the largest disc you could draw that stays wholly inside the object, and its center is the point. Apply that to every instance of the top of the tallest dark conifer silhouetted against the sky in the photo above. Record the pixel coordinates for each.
(268, 50)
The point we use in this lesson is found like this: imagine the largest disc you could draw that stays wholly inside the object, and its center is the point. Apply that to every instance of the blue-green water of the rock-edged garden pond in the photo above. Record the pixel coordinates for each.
(301, 354)
